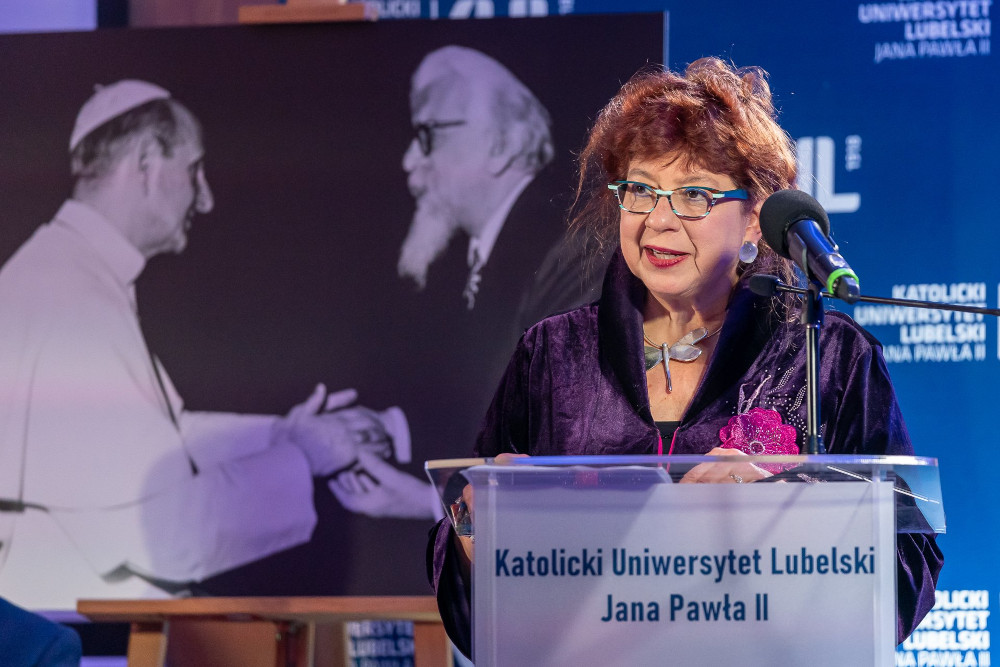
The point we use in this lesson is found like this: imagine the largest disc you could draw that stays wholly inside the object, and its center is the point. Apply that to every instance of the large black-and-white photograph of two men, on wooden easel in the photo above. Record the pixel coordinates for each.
(252, 279)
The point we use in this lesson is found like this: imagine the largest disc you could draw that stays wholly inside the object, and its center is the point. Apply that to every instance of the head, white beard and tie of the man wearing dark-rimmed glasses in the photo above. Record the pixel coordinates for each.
(480, 138)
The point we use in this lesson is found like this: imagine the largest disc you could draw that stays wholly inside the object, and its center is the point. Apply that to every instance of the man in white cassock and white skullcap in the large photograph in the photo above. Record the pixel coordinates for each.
(108, 487)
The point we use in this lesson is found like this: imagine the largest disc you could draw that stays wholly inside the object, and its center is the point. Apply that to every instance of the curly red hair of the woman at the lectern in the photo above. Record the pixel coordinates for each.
(715, 116)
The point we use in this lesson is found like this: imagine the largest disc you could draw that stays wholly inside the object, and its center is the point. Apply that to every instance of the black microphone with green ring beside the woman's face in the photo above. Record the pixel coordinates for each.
(796, 226)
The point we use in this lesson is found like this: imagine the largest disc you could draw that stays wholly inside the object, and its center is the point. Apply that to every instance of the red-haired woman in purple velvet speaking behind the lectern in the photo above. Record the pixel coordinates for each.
(678, 356)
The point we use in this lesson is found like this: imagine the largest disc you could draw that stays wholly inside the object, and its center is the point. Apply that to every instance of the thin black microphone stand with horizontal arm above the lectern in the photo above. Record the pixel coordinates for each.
(812, 318)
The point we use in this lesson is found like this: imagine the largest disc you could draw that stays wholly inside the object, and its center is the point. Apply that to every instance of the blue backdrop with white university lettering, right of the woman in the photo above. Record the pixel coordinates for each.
(892, 107)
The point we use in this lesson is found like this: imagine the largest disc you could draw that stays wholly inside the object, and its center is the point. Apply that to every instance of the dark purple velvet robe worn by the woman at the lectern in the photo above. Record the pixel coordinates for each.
(576, 384)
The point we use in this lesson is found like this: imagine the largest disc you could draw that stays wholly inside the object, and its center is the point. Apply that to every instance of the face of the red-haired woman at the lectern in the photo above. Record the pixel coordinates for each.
(685, 263)
